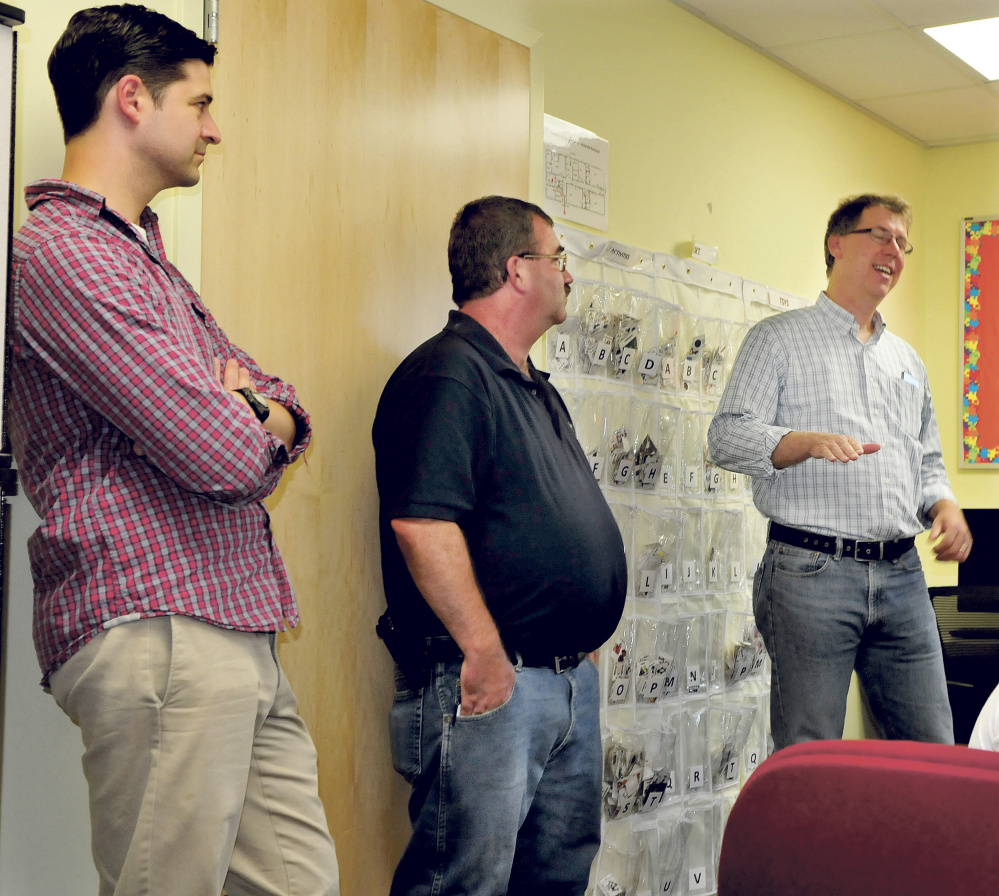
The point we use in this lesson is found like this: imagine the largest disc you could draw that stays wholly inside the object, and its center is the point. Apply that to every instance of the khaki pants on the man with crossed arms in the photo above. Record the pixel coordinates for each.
(201, 773)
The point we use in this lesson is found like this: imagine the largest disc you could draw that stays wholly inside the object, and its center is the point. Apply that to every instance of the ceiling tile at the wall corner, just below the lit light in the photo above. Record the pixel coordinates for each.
(942, 117)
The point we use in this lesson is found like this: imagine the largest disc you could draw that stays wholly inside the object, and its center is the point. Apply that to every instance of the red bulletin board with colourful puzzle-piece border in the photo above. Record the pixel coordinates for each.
(980, 344)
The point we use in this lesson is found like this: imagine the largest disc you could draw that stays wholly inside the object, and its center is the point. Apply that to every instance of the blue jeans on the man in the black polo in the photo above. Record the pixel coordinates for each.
(506, 801)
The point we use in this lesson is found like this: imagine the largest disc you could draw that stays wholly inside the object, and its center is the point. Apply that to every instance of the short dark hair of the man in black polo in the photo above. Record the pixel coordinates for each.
(484, 235)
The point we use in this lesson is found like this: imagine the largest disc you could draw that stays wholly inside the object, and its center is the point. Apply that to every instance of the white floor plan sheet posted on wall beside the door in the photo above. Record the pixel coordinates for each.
(575, 174)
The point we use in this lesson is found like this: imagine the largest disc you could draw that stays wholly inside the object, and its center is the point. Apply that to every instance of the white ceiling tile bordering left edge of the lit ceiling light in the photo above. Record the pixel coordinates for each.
(875, 65)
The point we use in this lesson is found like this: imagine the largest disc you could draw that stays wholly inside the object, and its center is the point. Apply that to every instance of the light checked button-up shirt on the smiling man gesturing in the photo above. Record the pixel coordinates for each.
(806, 370)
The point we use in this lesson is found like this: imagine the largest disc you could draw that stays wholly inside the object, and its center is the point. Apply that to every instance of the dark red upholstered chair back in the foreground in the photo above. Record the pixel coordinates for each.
(865, 818)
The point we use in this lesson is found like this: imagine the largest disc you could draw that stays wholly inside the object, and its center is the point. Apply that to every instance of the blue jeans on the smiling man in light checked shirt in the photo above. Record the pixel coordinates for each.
(821, 618)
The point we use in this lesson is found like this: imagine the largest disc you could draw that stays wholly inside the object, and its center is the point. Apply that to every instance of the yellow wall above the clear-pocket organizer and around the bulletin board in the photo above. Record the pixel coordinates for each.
(712, 141)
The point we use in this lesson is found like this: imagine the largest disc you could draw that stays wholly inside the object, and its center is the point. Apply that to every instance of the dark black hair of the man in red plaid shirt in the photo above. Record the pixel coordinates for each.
(103, 44)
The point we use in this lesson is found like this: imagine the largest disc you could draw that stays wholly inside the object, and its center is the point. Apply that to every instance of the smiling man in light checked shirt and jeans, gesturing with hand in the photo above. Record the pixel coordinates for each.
(831, 416)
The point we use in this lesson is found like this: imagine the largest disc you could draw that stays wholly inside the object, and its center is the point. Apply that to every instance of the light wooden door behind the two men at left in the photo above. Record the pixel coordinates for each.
(352, 131)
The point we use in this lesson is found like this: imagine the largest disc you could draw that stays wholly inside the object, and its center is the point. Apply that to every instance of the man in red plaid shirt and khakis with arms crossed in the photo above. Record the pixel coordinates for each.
(147, 442)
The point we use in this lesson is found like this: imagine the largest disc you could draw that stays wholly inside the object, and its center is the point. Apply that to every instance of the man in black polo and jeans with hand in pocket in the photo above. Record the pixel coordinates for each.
(503, 567)
